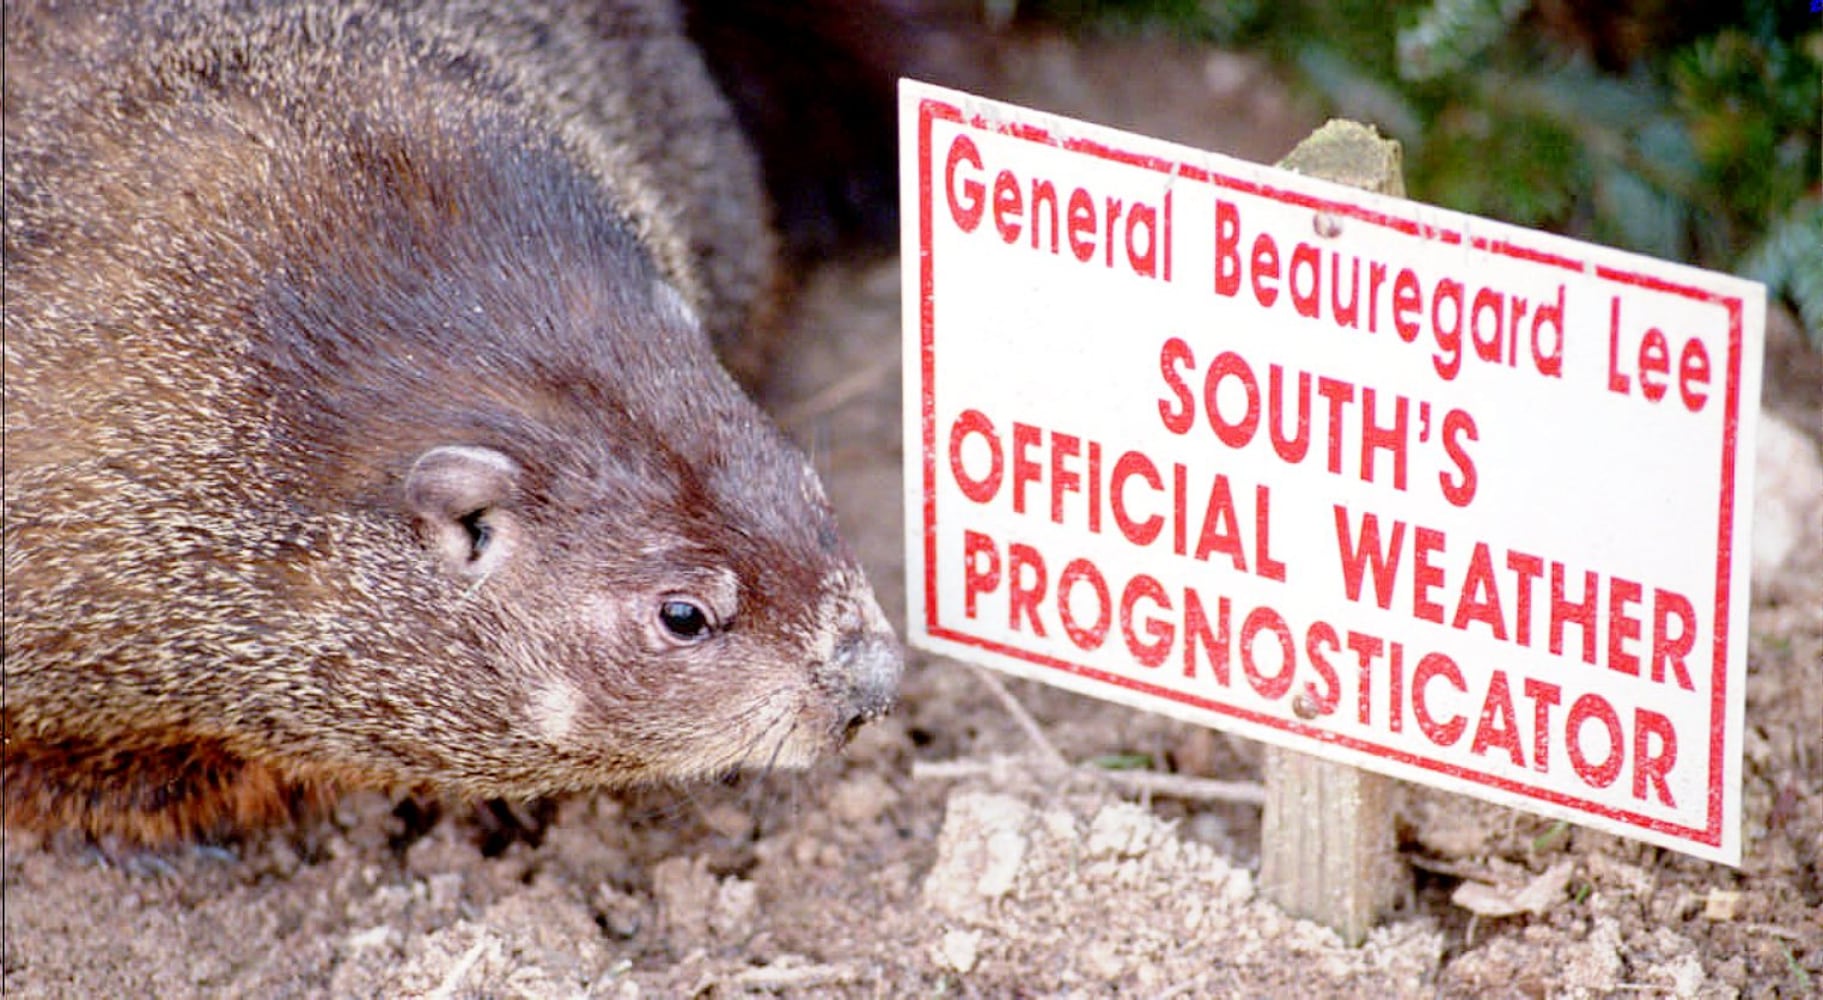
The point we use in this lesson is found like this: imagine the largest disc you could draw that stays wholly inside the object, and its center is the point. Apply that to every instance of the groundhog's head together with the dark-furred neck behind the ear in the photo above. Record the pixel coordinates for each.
(630, 573)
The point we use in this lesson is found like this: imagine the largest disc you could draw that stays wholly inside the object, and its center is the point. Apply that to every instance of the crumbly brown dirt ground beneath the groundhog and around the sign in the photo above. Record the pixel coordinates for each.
(940, 857)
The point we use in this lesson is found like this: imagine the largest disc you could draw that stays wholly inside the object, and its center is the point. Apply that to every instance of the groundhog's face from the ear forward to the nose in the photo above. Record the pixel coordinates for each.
(659, 567)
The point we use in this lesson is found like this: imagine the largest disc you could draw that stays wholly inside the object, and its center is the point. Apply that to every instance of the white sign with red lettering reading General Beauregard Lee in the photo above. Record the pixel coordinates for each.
(1385, 484)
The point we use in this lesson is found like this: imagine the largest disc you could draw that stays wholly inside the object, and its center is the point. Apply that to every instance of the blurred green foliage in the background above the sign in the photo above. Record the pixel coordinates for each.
(1680, 132)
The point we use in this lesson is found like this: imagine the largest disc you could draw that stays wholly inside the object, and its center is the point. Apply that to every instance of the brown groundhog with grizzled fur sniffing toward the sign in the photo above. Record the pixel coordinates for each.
(366, 427)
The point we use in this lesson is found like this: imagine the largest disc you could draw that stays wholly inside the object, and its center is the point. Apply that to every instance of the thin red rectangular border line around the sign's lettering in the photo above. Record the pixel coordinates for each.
(934, 110)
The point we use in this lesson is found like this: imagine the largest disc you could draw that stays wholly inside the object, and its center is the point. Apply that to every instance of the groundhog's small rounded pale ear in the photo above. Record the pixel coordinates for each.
(462, 496)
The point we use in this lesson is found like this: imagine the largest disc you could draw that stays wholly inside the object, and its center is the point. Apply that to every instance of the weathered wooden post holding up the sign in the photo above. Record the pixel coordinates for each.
(1326, 842)
